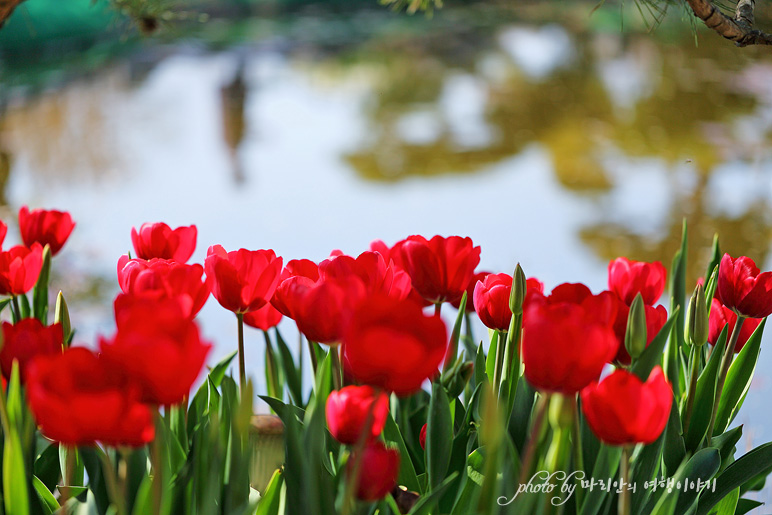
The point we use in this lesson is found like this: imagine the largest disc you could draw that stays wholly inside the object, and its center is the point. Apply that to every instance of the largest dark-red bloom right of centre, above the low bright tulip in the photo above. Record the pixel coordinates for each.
(564, 346)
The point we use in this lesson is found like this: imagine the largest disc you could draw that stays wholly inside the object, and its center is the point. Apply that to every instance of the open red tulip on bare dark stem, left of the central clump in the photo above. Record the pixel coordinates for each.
(242, 280)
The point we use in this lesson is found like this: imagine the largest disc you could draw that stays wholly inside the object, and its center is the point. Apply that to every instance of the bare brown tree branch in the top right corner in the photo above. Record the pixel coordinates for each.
(740, 29)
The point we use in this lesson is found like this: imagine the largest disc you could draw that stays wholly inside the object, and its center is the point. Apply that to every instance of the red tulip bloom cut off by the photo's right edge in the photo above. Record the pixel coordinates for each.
(742, 288)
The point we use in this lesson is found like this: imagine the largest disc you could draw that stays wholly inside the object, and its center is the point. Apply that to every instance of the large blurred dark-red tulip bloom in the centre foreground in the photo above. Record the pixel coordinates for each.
(393, 344)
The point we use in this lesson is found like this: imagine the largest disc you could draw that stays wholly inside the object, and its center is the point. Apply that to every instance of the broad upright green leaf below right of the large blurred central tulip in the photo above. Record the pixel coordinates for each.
(439, 436)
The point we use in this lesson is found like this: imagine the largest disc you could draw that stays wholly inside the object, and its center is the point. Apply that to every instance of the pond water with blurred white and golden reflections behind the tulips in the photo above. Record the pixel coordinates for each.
(552, 142)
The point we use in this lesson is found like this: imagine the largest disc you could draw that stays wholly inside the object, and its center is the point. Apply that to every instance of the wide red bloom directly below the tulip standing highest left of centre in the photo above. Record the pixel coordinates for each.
(162, 278)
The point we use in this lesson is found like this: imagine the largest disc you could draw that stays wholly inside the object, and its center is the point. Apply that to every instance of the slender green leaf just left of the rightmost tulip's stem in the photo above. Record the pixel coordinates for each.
(697, 425)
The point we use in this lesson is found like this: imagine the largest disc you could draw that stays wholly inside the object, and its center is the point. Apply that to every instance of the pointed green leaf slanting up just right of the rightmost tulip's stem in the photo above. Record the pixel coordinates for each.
(738, 379)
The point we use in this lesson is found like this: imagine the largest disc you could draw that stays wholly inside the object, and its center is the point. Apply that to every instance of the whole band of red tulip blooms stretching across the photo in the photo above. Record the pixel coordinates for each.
(573, 347)
